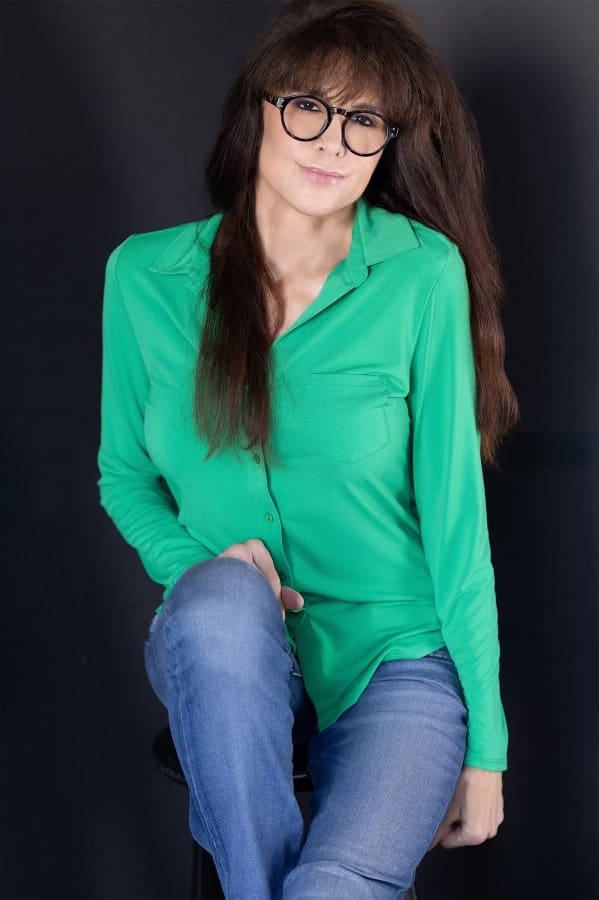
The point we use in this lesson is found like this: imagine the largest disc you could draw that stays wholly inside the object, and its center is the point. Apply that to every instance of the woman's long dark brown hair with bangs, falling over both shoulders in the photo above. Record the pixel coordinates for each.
(433, 172)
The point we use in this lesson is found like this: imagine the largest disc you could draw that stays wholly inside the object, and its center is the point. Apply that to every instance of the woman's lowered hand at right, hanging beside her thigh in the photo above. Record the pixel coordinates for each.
(475, 812)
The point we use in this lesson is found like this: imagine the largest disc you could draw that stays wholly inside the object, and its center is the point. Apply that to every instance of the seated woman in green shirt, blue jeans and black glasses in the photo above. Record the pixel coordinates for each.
(298, 395)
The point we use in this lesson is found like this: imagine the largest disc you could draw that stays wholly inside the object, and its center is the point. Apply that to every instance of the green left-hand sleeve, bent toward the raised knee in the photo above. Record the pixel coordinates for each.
(132, 491)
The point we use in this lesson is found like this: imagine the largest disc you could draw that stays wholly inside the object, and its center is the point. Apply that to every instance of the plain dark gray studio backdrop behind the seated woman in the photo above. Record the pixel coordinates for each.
(109, 109)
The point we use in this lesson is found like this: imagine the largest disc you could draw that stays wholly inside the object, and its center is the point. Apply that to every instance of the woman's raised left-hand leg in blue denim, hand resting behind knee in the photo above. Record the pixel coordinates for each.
(218, 657)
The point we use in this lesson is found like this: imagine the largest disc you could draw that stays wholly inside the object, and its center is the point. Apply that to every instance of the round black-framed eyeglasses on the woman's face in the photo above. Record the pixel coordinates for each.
(306, 117)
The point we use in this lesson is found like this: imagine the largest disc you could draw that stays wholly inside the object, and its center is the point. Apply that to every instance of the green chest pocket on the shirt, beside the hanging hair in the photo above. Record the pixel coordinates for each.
(341, 418)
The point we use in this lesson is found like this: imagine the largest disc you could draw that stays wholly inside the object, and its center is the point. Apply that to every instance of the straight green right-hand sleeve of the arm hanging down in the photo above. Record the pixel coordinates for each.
(450, 498)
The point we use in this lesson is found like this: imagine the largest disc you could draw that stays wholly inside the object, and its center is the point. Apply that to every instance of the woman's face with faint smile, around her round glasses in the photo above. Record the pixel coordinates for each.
(282, 164)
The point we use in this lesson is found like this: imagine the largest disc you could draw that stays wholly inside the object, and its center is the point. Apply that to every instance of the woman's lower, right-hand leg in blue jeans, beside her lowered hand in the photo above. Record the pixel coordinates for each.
(384, 775)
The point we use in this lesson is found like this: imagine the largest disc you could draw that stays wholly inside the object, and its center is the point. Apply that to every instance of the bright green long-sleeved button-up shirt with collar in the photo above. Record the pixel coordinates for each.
(378, 514)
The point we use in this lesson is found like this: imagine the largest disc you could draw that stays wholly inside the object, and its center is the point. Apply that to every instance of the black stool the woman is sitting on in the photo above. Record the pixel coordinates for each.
(203, 869)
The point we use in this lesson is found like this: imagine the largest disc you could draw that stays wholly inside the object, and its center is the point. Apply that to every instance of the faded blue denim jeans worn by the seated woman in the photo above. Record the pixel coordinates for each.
(384, 773)
